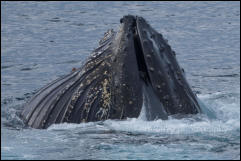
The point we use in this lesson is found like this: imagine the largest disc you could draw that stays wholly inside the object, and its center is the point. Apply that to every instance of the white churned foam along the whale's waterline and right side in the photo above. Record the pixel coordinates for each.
(228, 119)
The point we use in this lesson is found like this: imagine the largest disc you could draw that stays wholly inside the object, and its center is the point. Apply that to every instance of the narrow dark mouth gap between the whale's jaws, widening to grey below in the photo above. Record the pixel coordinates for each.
(154, 109)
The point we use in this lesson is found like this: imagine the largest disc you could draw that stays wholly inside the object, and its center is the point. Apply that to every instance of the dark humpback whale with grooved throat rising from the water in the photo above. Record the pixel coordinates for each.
(131, 66)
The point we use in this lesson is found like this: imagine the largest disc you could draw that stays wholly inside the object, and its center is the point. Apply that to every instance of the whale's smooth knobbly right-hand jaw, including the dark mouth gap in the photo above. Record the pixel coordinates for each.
(164, 82)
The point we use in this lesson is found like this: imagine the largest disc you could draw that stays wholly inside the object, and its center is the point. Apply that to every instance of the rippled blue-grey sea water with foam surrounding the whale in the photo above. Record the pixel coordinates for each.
(41, 41)
